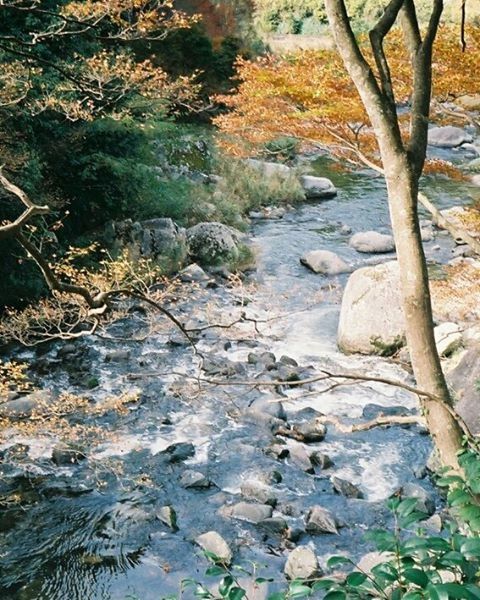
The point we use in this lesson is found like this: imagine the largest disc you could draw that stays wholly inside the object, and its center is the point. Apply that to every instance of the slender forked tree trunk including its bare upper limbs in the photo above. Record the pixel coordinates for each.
(402, 170)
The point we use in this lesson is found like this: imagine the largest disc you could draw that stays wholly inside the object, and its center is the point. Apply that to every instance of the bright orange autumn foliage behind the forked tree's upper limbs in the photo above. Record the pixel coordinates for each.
(310, 96)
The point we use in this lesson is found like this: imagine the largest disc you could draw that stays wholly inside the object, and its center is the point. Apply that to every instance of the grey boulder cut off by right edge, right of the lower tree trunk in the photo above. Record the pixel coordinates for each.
(464, 380)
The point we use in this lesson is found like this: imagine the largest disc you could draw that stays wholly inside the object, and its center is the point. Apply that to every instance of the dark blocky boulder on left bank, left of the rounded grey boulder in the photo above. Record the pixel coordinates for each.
(155, 239)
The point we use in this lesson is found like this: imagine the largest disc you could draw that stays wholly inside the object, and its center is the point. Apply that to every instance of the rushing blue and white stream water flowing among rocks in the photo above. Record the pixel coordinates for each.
(90, 531)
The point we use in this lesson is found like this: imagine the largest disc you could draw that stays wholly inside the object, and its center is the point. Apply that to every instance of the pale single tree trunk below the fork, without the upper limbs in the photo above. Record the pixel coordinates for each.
(402, 198)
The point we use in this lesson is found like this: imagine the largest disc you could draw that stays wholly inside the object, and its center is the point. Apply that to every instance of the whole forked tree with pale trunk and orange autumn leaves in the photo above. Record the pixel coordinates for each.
(312, 98)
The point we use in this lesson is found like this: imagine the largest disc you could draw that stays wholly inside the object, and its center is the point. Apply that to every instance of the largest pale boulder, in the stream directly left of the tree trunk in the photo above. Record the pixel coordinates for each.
(371, 309)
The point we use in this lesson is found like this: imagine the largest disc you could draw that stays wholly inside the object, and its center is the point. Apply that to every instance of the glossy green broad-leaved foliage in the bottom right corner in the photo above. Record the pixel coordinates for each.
(412, 565)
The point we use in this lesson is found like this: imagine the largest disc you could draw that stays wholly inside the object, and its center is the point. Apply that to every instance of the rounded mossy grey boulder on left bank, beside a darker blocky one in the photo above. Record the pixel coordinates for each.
(211, 243)
